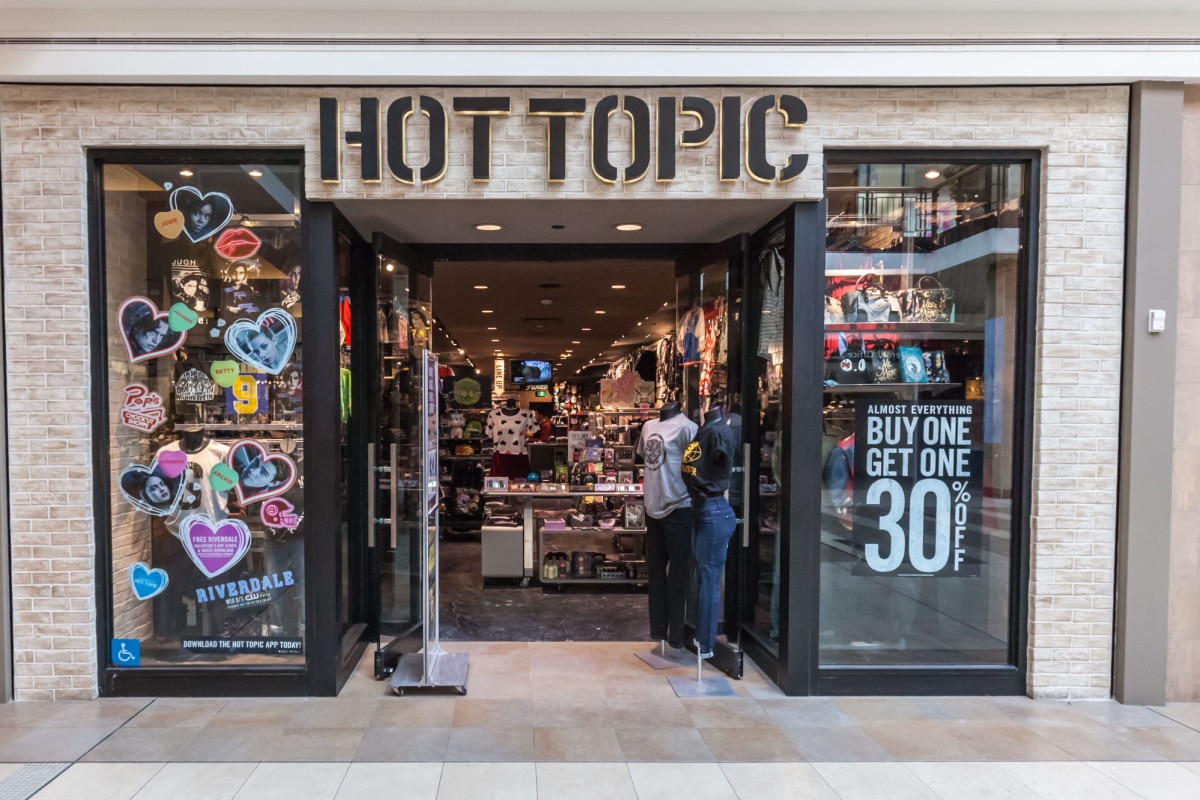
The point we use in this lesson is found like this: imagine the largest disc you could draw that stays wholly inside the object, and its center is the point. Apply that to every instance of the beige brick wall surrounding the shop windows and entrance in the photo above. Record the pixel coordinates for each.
(1081, 130)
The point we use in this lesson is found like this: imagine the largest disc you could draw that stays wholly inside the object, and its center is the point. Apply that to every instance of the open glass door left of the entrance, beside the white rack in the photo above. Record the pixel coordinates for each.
(401, 316)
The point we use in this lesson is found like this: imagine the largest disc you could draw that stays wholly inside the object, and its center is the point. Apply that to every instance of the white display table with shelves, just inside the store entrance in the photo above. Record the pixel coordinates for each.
(503, 550)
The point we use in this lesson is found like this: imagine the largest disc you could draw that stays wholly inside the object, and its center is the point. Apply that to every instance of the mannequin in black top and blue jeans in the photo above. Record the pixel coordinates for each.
(706, 470)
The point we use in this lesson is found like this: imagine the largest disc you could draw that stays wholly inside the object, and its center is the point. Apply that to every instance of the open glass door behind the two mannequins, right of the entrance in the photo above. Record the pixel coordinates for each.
(710, 291)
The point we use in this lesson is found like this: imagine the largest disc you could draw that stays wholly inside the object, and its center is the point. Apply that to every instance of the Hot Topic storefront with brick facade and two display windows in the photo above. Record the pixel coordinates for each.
(902, 274)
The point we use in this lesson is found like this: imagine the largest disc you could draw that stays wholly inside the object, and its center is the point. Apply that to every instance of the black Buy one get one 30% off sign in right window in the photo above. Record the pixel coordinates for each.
(919, 489)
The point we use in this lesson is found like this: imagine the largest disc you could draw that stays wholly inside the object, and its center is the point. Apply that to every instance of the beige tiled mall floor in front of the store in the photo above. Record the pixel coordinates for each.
(568, 720)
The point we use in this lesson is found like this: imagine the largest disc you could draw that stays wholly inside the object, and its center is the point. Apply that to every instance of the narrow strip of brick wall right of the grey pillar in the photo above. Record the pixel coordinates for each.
(1184, 653)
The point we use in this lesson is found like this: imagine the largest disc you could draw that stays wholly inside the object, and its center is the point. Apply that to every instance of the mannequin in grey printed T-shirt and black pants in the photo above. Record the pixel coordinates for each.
(669, 524)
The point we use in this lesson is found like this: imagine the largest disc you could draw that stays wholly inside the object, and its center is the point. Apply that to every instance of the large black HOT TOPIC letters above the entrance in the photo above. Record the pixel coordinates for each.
(737, 137)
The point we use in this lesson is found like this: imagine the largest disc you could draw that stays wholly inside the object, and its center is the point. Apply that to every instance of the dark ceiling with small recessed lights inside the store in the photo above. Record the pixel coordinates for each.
(542, 309)
